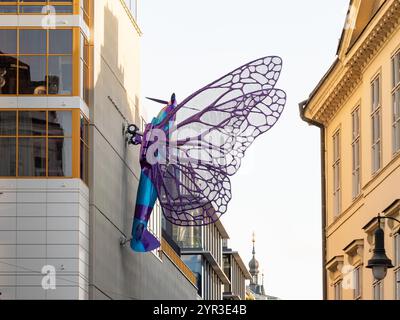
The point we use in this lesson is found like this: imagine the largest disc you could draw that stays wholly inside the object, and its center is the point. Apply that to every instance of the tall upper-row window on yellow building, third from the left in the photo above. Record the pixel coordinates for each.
(376, 125)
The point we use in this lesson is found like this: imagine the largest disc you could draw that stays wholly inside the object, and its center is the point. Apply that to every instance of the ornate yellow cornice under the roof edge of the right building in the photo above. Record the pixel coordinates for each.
(353, 69)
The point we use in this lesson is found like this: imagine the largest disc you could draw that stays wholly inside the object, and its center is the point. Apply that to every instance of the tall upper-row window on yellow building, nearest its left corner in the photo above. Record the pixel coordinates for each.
(336, 169)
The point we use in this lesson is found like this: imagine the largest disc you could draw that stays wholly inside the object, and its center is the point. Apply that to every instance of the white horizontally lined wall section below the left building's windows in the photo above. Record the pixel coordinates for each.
(44, 222)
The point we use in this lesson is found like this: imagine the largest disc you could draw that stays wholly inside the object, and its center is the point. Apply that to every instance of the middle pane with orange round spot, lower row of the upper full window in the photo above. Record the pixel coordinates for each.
(32, 75)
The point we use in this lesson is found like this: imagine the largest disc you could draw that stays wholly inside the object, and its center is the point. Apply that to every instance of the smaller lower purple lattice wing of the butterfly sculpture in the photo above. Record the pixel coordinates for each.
(193, 194)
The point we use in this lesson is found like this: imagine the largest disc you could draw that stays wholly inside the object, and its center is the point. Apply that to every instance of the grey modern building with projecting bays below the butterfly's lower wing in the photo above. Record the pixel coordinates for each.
(220, 272)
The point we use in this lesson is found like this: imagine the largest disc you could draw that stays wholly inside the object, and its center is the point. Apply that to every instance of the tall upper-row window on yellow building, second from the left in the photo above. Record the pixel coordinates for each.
(356, 151)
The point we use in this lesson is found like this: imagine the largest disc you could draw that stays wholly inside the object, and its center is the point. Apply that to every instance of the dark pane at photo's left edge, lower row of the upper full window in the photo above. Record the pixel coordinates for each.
(8, 75)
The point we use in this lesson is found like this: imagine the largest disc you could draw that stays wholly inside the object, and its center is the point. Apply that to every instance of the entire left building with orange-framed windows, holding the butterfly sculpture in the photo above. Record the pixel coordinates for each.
(69, 84)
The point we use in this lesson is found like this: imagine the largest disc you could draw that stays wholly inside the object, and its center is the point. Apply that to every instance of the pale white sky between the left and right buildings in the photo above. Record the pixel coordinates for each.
(189, 43)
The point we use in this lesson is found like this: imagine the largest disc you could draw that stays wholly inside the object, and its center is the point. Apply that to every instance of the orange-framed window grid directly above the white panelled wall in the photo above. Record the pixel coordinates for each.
(43, 140)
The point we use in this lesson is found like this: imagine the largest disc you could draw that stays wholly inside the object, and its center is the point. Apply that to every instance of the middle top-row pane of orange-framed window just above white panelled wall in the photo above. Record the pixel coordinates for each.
(32, 123)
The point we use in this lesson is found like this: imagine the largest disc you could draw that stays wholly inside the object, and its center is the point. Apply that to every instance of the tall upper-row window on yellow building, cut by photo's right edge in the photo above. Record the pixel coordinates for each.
(396, 103)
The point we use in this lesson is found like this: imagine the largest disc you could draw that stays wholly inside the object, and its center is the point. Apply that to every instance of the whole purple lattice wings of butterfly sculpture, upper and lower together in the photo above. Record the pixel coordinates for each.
(213, 129)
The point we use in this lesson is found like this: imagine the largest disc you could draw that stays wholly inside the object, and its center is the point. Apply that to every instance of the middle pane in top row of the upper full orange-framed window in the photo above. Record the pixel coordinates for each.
(32, 41)
